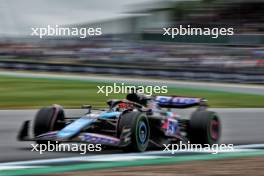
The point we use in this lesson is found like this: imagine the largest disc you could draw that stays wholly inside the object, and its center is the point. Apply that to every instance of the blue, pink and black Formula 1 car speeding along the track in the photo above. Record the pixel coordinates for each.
(133, 124)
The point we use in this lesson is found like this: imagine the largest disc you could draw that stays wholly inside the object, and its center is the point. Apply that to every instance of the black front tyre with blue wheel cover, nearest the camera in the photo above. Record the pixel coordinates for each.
(138, 123)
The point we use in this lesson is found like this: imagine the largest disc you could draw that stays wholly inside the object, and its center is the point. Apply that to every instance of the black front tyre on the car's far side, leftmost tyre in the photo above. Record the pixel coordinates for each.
(47, 120)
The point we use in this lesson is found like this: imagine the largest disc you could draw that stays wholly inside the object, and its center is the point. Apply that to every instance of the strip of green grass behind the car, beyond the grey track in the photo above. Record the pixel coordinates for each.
(37, 92)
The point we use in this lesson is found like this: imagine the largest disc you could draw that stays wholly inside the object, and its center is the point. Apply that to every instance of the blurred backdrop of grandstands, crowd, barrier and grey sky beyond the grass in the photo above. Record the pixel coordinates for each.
(132, 40)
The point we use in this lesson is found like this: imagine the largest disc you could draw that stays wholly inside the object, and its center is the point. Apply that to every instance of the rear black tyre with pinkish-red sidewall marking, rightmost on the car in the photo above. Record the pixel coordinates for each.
(204, 128)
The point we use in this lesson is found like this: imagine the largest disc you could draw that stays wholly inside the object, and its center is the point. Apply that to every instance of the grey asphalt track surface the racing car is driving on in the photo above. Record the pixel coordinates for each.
(239, 126)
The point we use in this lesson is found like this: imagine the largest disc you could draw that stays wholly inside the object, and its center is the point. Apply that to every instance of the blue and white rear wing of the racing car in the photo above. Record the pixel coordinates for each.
(178, 101)
